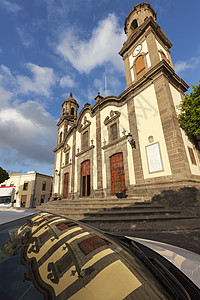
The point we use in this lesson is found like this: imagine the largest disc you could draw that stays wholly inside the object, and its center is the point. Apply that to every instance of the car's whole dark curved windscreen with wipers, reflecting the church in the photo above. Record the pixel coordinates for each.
(46, 256)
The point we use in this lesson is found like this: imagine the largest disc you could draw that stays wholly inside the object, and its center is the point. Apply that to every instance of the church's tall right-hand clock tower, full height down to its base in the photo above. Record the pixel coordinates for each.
(163, 152)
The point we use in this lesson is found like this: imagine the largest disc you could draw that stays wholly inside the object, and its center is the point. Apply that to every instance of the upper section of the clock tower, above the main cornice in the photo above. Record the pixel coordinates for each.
(146, 44)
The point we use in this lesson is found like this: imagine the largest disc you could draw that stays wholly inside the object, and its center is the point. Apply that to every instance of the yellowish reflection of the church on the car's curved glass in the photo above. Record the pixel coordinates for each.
(67, 260)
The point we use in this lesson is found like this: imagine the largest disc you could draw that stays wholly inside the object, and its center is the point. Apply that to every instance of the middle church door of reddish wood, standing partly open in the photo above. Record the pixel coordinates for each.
(85, 178)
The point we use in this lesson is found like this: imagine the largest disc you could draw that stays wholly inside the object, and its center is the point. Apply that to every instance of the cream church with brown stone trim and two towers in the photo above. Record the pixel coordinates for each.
(132, 140)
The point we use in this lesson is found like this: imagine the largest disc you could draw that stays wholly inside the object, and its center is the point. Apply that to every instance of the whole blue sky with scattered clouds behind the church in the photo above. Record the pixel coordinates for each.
(49, 48)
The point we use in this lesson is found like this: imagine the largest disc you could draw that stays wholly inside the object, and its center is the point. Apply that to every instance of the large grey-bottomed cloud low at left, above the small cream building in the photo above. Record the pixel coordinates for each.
(29, 131)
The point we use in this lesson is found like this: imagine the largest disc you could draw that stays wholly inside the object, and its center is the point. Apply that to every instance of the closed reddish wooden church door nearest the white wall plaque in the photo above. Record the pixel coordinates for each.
(117, 171)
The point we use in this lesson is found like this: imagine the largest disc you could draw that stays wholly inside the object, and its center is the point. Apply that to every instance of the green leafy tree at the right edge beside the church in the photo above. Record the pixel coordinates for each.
(189, 116)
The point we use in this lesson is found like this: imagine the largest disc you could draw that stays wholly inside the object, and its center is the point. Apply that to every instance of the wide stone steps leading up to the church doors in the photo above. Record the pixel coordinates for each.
(108, 213)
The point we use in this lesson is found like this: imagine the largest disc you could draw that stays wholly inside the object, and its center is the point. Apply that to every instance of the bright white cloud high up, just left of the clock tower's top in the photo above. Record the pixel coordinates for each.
(101, 48)
